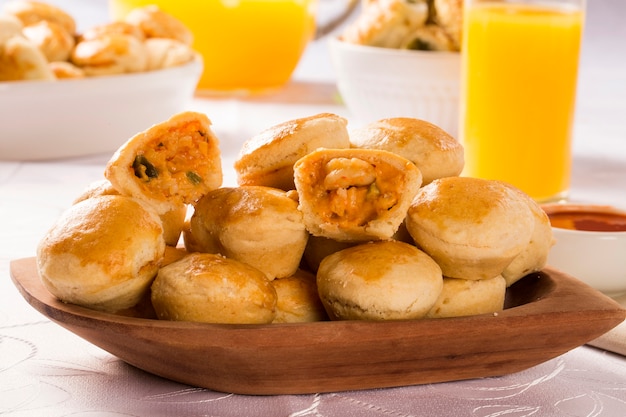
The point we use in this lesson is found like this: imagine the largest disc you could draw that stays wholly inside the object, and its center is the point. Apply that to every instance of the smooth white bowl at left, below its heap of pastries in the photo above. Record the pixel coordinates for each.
(79, 117)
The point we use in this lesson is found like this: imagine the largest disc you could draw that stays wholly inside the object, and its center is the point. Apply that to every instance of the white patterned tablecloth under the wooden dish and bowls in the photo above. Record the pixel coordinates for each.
(47, 371)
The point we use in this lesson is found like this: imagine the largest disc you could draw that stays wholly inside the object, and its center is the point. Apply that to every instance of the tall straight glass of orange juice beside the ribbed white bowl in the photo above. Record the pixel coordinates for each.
(519, 75)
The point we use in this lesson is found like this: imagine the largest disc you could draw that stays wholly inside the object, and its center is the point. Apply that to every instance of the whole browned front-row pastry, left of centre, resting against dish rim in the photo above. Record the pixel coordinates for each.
(210, 288)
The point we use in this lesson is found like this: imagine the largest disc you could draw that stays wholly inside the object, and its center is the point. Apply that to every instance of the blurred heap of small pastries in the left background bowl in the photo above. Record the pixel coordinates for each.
(40, 41)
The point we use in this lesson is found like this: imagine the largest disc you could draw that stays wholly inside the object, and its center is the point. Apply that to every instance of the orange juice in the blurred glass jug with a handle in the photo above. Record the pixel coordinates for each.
(247, 45)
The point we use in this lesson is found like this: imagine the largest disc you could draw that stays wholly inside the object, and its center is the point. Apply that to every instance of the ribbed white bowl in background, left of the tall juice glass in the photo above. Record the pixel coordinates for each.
(376, 83)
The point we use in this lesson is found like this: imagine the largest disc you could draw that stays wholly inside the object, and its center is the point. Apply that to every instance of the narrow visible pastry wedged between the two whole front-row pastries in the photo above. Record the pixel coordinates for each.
(297, 300)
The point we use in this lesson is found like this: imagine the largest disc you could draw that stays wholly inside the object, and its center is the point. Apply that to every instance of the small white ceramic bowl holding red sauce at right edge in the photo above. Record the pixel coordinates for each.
(597, 258)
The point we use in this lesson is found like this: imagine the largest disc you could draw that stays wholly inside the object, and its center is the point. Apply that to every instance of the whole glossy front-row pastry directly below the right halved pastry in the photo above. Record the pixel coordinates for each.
(386, 280)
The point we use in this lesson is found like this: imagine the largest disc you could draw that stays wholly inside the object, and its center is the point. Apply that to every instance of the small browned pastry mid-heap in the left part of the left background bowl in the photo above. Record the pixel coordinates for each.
(55, 42)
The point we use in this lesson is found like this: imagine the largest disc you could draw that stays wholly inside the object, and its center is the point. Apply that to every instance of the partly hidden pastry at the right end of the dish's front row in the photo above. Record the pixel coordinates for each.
(465, 297)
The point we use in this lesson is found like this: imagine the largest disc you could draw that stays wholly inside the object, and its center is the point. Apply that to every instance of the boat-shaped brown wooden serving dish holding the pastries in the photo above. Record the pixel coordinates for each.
(546, 315)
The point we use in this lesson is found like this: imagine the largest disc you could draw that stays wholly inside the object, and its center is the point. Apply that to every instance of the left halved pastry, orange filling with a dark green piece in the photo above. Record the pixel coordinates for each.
(172, 163)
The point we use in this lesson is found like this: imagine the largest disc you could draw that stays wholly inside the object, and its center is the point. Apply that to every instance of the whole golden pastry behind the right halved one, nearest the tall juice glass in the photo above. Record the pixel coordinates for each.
(435, 152)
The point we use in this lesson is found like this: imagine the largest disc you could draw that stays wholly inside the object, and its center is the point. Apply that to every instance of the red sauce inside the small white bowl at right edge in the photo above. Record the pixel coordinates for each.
(586, 218)
